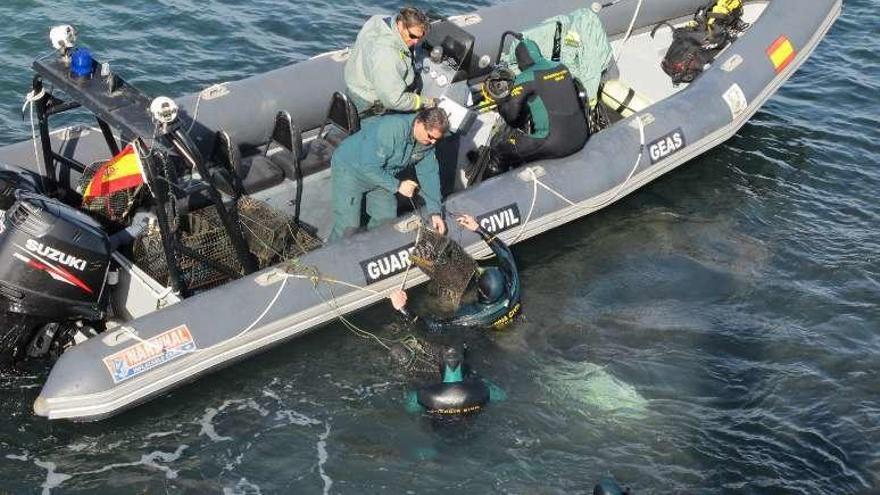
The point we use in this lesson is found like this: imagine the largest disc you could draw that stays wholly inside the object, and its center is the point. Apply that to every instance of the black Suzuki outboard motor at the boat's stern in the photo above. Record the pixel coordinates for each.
(52, 278)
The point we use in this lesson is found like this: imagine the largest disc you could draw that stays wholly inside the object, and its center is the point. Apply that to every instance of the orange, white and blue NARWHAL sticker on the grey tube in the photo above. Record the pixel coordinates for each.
(150, 353)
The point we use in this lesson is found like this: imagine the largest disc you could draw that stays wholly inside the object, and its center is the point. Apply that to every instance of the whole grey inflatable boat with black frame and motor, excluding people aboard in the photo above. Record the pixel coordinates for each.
(138, 335)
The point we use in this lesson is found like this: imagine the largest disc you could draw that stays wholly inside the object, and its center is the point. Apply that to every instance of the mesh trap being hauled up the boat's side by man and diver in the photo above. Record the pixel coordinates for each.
(445, 262)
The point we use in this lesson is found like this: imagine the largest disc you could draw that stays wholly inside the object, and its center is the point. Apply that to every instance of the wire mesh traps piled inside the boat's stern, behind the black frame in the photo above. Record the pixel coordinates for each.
(270, 236)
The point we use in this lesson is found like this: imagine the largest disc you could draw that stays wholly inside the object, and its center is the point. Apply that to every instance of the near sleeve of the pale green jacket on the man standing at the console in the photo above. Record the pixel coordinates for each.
(388, 68)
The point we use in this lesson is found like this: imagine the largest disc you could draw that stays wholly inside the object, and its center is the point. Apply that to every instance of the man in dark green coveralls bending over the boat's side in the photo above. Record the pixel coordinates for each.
(370, 162)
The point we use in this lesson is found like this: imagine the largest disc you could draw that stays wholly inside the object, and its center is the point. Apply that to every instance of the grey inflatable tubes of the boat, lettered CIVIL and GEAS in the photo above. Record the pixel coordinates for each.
(167, 348)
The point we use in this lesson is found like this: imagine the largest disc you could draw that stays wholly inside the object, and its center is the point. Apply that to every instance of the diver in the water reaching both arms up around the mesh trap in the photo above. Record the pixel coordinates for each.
(498, 290)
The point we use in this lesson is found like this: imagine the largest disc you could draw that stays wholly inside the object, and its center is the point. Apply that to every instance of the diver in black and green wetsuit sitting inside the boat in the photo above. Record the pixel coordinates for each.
(545, 92)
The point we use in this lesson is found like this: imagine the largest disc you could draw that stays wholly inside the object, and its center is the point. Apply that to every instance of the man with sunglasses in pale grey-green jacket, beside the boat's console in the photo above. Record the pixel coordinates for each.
(379, 74)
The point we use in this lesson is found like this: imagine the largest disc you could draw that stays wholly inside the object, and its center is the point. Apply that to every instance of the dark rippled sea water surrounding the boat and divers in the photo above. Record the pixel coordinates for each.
(715, 332)
